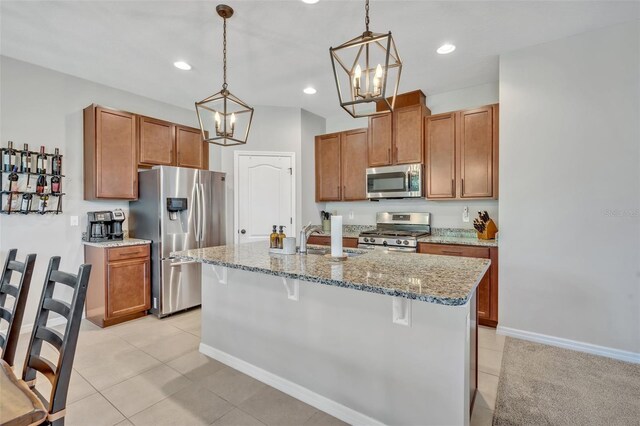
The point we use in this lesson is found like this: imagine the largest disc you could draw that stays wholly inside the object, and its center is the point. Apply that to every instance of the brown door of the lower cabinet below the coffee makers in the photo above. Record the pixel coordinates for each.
(128, 287)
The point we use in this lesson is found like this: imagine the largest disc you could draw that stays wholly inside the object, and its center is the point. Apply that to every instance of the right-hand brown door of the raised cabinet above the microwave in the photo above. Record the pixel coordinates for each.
(407, 135)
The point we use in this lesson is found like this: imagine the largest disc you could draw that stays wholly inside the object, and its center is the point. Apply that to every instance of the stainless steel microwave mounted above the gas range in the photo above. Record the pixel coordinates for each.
(404, 181)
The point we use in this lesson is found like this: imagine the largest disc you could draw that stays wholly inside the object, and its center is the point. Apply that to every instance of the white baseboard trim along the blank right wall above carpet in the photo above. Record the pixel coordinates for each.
(560, 342)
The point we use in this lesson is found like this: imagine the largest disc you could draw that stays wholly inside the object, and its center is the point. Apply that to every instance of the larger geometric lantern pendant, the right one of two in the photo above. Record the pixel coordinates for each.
(364, 68)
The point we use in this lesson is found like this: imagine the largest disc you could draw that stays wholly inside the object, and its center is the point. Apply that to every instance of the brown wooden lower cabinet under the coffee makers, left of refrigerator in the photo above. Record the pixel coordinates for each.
(119, 287)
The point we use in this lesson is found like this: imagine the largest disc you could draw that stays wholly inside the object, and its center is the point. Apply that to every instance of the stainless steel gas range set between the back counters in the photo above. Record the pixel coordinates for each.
(396, 232)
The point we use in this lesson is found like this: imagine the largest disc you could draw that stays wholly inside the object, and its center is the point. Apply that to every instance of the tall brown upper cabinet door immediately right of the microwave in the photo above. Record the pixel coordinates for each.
(440, 141)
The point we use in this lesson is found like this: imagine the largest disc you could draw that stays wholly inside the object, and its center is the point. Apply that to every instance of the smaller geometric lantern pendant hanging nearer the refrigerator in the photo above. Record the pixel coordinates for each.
(224, 119)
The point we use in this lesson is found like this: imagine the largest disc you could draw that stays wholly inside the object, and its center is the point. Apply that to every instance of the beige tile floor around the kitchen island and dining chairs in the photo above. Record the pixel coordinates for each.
(149, 372)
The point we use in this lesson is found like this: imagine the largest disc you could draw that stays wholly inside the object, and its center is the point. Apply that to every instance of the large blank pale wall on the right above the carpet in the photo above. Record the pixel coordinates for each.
(570, 189)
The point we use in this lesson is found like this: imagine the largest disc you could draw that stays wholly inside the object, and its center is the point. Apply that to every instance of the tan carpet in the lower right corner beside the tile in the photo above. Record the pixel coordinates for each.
(545, 385)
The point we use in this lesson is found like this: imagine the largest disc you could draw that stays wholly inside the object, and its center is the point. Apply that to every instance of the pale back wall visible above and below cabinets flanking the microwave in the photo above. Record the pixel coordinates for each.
(445, 214)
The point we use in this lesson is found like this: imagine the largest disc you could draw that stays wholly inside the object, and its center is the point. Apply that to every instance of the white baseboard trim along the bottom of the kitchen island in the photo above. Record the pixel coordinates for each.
(305, 395)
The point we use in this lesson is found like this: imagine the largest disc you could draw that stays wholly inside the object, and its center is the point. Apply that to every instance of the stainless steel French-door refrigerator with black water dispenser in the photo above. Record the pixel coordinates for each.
(177, 209)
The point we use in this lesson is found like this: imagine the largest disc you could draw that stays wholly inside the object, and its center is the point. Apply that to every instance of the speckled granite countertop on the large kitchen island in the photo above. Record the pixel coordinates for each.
(445, 280)
